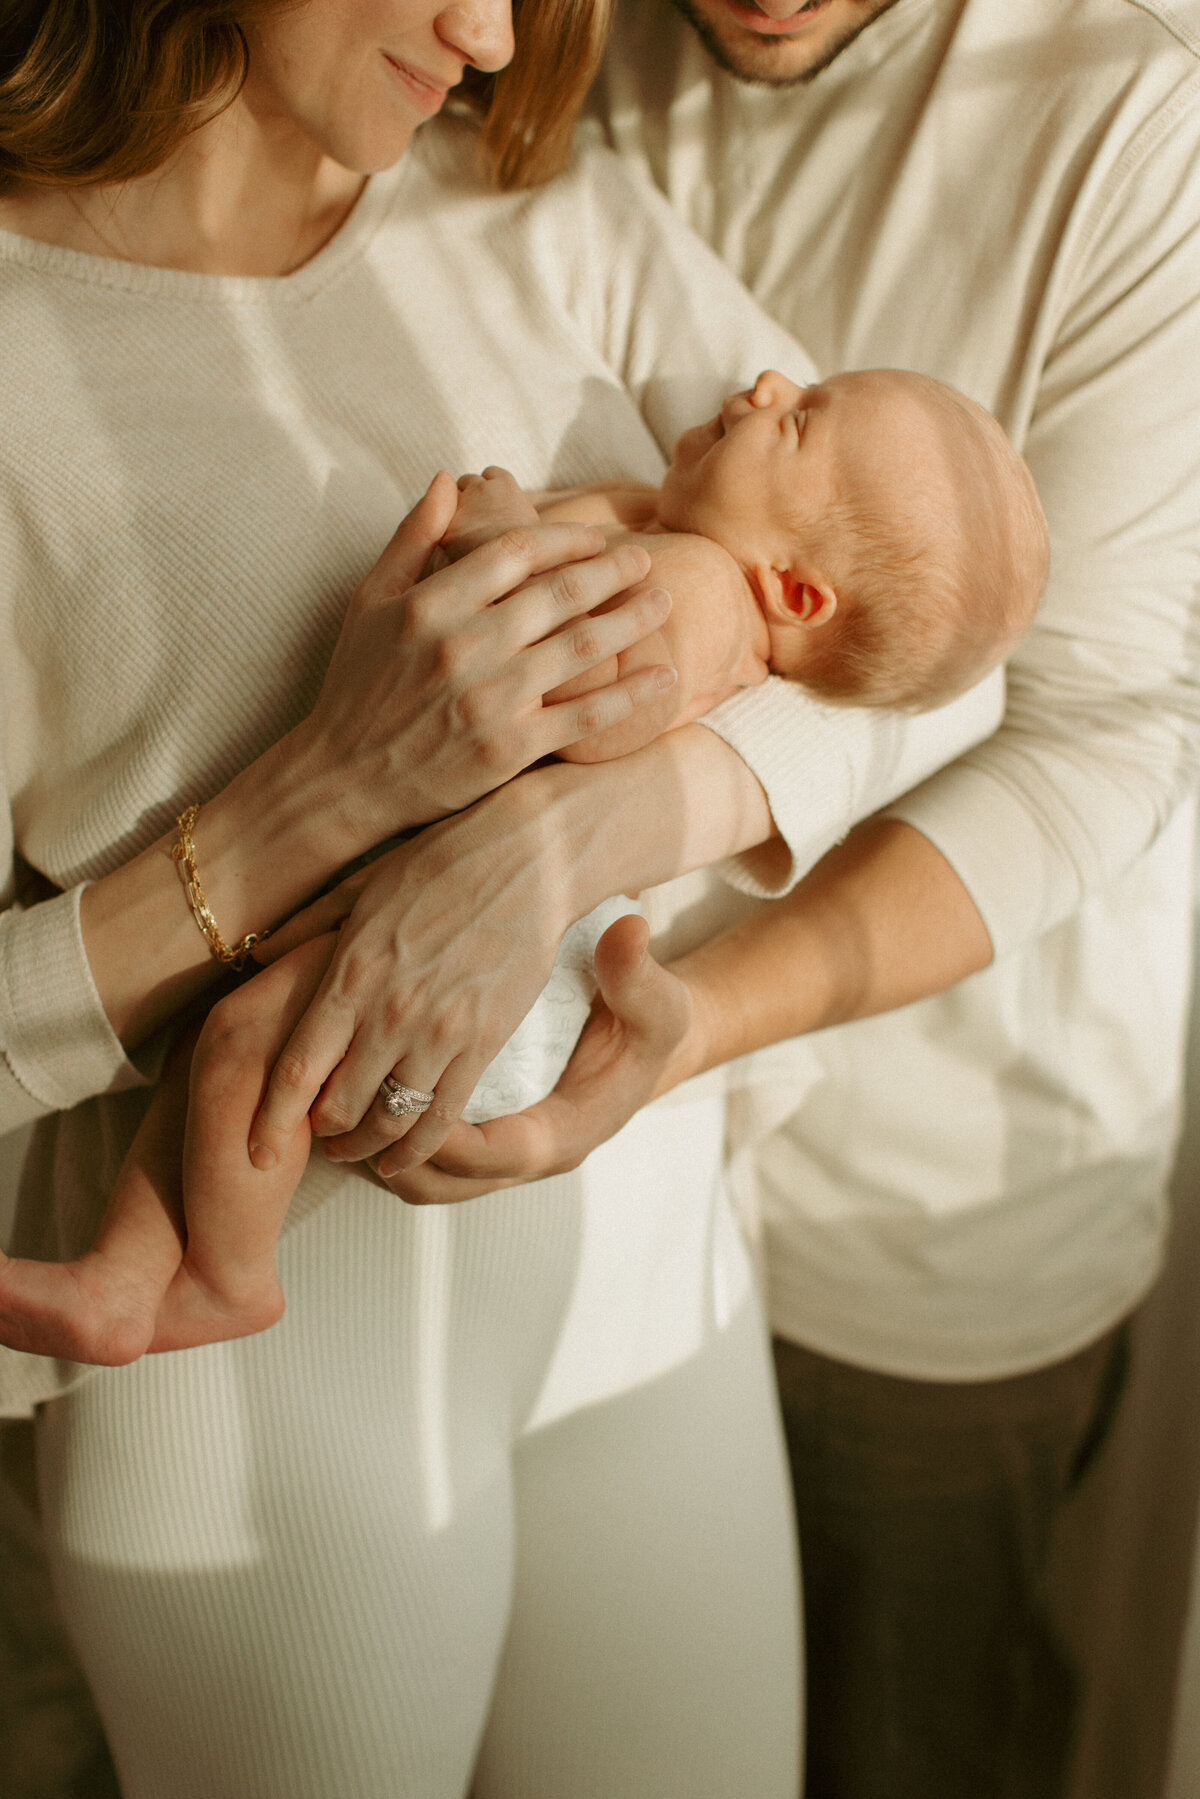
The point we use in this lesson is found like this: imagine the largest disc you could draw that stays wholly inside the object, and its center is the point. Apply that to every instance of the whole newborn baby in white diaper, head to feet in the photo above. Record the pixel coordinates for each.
(873, 537)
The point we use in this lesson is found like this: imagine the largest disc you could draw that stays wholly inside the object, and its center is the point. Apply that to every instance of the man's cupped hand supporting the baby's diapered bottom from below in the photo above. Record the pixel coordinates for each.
(641, 1041)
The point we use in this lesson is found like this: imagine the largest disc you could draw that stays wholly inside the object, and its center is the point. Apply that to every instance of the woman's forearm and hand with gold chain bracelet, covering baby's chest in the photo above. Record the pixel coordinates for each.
(434, 695)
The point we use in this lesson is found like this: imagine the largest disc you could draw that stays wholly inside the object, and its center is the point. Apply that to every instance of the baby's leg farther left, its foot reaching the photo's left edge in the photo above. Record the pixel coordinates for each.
(103, 1305)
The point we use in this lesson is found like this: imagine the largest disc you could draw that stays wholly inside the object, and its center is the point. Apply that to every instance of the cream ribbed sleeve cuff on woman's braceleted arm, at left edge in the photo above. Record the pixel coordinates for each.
(57, 1043)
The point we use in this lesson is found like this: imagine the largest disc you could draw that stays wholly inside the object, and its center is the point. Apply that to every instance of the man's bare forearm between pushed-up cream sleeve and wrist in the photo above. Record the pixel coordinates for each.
(881, 922)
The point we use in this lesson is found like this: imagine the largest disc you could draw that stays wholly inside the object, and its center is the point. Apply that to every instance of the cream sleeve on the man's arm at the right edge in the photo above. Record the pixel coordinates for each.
(1102, 731)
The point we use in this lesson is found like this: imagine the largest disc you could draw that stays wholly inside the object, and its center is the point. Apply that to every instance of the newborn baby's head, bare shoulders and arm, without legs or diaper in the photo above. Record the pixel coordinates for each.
(873, 537)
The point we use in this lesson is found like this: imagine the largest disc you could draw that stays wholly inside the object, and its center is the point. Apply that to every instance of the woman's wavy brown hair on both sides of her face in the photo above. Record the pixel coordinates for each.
(105, 91)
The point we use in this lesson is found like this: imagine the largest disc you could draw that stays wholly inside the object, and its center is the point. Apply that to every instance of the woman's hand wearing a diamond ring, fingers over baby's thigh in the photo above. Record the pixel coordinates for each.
(445, 944)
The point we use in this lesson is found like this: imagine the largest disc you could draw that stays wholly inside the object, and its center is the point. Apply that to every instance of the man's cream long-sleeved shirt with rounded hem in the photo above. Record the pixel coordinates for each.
(1007, 195)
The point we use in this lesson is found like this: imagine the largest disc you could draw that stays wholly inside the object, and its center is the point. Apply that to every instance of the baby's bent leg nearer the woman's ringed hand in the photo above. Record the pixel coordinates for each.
(226, 1284)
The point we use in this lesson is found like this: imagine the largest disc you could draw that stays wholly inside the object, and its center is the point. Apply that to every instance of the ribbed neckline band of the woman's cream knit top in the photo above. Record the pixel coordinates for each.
(345, 247)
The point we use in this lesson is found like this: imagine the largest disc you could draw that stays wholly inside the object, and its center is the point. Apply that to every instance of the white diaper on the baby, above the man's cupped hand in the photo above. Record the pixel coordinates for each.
(541, 1048)
